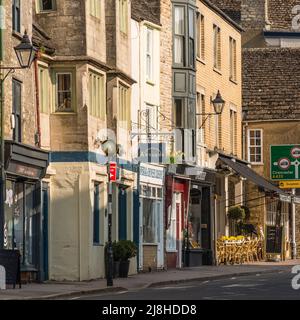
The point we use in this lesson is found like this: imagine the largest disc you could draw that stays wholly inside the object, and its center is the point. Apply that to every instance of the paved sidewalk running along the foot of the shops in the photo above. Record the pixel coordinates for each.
(53, 290)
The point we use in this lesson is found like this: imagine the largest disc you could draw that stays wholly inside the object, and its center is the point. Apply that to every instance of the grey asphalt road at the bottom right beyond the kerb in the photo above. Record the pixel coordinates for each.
(275, 286)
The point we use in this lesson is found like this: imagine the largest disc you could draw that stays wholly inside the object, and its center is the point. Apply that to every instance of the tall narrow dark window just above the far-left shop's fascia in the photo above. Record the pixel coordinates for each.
(16, 110)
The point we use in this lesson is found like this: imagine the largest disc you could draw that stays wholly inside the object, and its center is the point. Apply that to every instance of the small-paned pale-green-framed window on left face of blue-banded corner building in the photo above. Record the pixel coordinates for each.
(64, 92)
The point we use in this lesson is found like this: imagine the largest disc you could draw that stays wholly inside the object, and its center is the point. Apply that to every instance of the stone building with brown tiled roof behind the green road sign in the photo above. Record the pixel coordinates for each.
(270, 96)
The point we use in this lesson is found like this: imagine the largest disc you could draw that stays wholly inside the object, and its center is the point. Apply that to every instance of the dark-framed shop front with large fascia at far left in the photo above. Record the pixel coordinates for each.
(25, 167)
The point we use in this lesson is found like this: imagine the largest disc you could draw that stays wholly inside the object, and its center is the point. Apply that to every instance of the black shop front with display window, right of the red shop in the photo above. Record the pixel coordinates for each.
(198, 249)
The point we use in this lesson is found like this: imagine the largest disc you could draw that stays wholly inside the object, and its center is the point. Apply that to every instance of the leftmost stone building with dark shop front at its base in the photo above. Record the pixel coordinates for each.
(25, 163)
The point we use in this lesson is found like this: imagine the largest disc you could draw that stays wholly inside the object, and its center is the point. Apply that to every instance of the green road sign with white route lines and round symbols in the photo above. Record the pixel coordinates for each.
(285, 162)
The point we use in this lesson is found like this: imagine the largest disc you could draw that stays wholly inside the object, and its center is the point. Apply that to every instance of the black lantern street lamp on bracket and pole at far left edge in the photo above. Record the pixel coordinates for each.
(26, 54)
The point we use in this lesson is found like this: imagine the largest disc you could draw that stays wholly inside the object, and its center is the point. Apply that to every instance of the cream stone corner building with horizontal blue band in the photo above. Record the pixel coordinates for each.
(85, 89)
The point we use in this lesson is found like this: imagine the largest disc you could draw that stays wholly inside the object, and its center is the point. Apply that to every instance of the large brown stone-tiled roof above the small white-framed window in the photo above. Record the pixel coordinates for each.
(271, 83)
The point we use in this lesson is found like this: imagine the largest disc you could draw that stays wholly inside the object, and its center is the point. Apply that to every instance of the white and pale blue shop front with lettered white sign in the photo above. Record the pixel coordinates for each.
(151, 251)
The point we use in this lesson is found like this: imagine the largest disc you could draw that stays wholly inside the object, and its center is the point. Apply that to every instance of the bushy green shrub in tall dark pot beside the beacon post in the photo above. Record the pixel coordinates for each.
(127, 250)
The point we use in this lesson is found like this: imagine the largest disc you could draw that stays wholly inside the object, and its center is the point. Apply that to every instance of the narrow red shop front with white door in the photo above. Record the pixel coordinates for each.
(177, 204)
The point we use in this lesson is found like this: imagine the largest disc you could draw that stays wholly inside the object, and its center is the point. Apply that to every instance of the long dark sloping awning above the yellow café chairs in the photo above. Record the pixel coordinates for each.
(250, 174)
